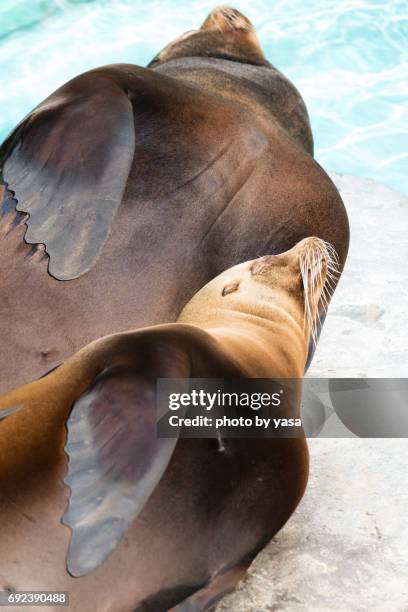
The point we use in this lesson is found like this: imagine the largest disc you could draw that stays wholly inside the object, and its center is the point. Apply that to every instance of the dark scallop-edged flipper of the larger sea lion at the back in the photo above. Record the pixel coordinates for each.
(68, 163)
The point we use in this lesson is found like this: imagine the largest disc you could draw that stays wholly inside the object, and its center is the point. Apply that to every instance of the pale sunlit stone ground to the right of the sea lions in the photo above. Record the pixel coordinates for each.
(346, 546)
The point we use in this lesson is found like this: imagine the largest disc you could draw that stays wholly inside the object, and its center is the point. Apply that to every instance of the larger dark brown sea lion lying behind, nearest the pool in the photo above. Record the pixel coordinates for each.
(173, 173)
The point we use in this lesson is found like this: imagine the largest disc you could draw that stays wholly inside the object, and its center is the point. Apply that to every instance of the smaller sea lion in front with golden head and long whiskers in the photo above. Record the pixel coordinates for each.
(156, 521)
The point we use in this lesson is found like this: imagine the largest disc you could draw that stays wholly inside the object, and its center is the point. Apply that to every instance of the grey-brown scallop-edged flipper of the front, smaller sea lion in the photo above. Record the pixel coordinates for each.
(115, 462)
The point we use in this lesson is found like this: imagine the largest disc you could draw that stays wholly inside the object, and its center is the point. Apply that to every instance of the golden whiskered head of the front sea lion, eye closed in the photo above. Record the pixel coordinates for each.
(298, 281)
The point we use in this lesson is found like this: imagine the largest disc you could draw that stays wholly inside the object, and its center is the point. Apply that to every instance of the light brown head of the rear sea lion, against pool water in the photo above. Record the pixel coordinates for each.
(225, 34)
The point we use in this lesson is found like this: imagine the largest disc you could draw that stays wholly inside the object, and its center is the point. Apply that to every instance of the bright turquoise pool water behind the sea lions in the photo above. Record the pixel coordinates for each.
(349, 59)
